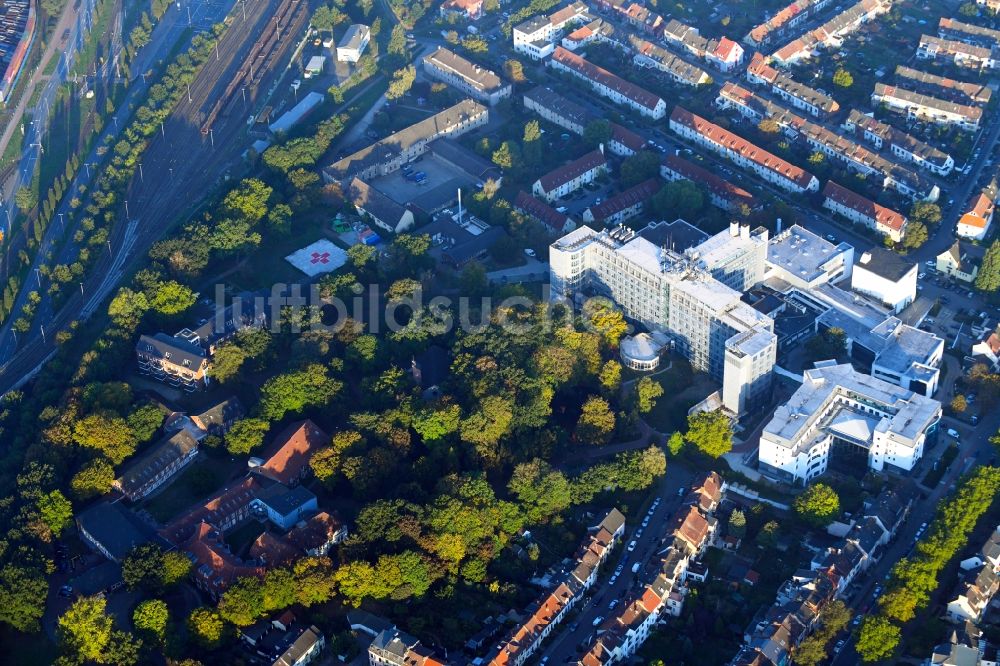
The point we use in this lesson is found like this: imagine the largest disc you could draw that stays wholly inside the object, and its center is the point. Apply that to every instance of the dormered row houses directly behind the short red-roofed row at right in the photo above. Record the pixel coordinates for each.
(863, 161)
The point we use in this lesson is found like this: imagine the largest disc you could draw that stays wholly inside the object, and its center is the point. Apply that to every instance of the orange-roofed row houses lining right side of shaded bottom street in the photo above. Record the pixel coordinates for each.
(619, 637)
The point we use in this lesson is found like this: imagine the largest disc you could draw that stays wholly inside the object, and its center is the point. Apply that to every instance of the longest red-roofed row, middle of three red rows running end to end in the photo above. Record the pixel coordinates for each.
(768, 166)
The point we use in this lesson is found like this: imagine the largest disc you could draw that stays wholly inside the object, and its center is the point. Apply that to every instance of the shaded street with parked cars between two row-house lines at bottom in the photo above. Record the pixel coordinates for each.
(567, 640)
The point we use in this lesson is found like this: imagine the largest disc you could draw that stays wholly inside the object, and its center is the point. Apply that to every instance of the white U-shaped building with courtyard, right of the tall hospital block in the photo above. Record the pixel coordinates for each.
(836, 406)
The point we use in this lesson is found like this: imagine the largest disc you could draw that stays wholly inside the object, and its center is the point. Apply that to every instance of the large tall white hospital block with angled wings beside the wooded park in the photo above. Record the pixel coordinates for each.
(678, 295)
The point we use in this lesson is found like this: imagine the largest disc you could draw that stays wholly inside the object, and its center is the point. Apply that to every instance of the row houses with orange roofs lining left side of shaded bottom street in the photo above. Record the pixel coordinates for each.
(547, 612)
